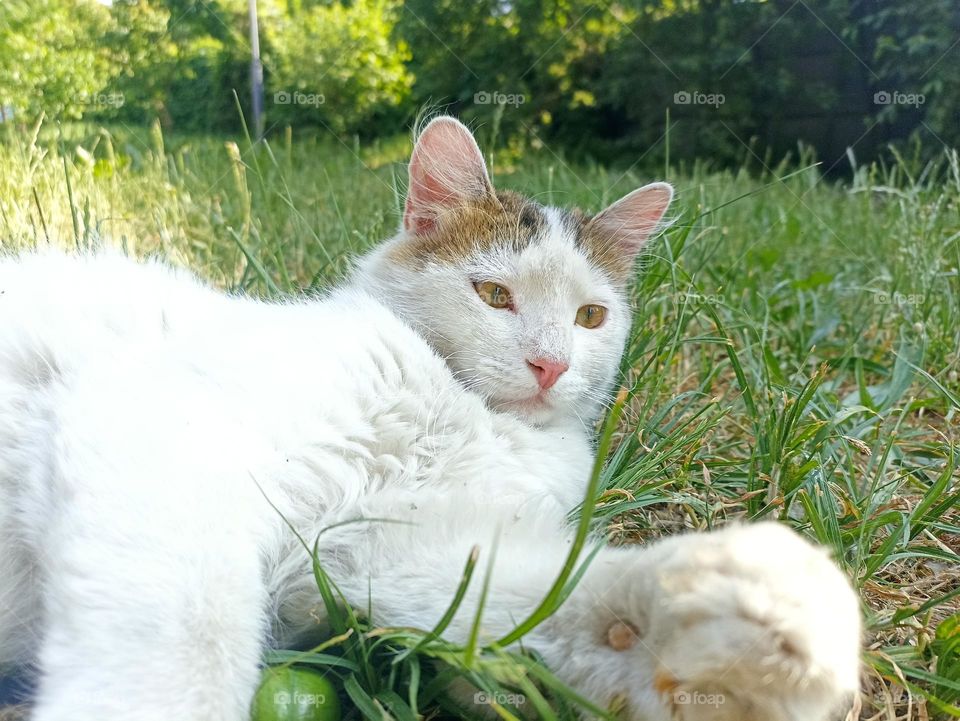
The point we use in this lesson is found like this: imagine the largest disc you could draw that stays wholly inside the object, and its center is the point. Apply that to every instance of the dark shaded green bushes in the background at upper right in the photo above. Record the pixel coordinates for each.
(600, 79)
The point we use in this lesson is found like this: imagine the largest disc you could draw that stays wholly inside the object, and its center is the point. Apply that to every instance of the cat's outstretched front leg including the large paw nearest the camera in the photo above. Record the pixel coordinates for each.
(745, 624)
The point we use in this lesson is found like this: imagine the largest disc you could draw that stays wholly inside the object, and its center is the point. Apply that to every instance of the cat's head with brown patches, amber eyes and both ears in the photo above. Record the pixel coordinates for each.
(527, 303)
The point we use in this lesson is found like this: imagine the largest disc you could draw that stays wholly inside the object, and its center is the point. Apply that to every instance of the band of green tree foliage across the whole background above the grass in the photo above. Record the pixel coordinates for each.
(727, 79)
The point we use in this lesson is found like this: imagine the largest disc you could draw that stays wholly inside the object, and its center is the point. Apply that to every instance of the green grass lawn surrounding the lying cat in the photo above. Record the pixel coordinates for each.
(795, 356)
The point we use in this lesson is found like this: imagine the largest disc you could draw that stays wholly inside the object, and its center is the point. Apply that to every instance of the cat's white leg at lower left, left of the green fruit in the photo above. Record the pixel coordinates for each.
(154, 599)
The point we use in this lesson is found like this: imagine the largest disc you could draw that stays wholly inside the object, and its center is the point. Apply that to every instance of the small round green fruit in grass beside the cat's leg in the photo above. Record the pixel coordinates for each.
(295, 694)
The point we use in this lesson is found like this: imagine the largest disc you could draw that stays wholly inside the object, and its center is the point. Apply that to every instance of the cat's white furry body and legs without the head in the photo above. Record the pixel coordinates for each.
(140, 559)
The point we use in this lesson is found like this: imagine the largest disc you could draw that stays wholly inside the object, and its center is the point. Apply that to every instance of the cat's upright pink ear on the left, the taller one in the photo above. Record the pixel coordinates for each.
(446, 171)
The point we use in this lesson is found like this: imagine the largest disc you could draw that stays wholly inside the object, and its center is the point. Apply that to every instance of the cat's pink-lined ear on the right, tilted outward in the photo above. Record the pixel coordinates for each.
(627, 224)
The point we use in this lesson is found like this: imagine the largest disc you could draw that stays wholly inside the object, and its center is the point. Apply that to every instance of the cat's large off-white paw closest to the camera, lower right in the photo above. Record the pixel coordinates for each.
(750, 623)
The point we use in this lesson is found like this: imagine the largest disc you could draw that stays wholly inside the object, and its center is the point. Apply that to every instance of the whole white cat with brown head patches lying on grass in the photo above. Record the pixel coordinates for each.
(452, 384)
